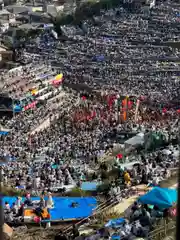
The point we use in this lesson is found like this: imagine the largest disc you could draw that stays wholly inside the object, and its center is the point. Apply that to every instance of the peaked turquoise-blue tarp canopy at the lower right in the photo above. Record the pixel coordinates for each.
(161, 197)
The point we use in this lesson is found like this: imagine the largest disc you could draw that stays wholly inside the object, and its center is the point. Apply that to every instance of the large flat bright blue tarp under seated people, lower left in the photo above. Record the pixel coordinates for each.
(62, 207)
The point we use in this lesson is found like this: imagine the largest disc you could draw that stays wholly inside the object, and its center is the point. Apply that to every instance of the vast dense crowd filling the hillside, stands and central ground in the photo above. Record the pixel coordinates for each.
(112, 56)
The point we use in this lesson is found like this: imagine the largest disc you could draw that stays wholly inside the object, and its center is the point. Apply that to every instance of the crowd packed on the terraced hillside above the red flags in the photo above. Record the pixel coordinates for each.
(120, 52)
